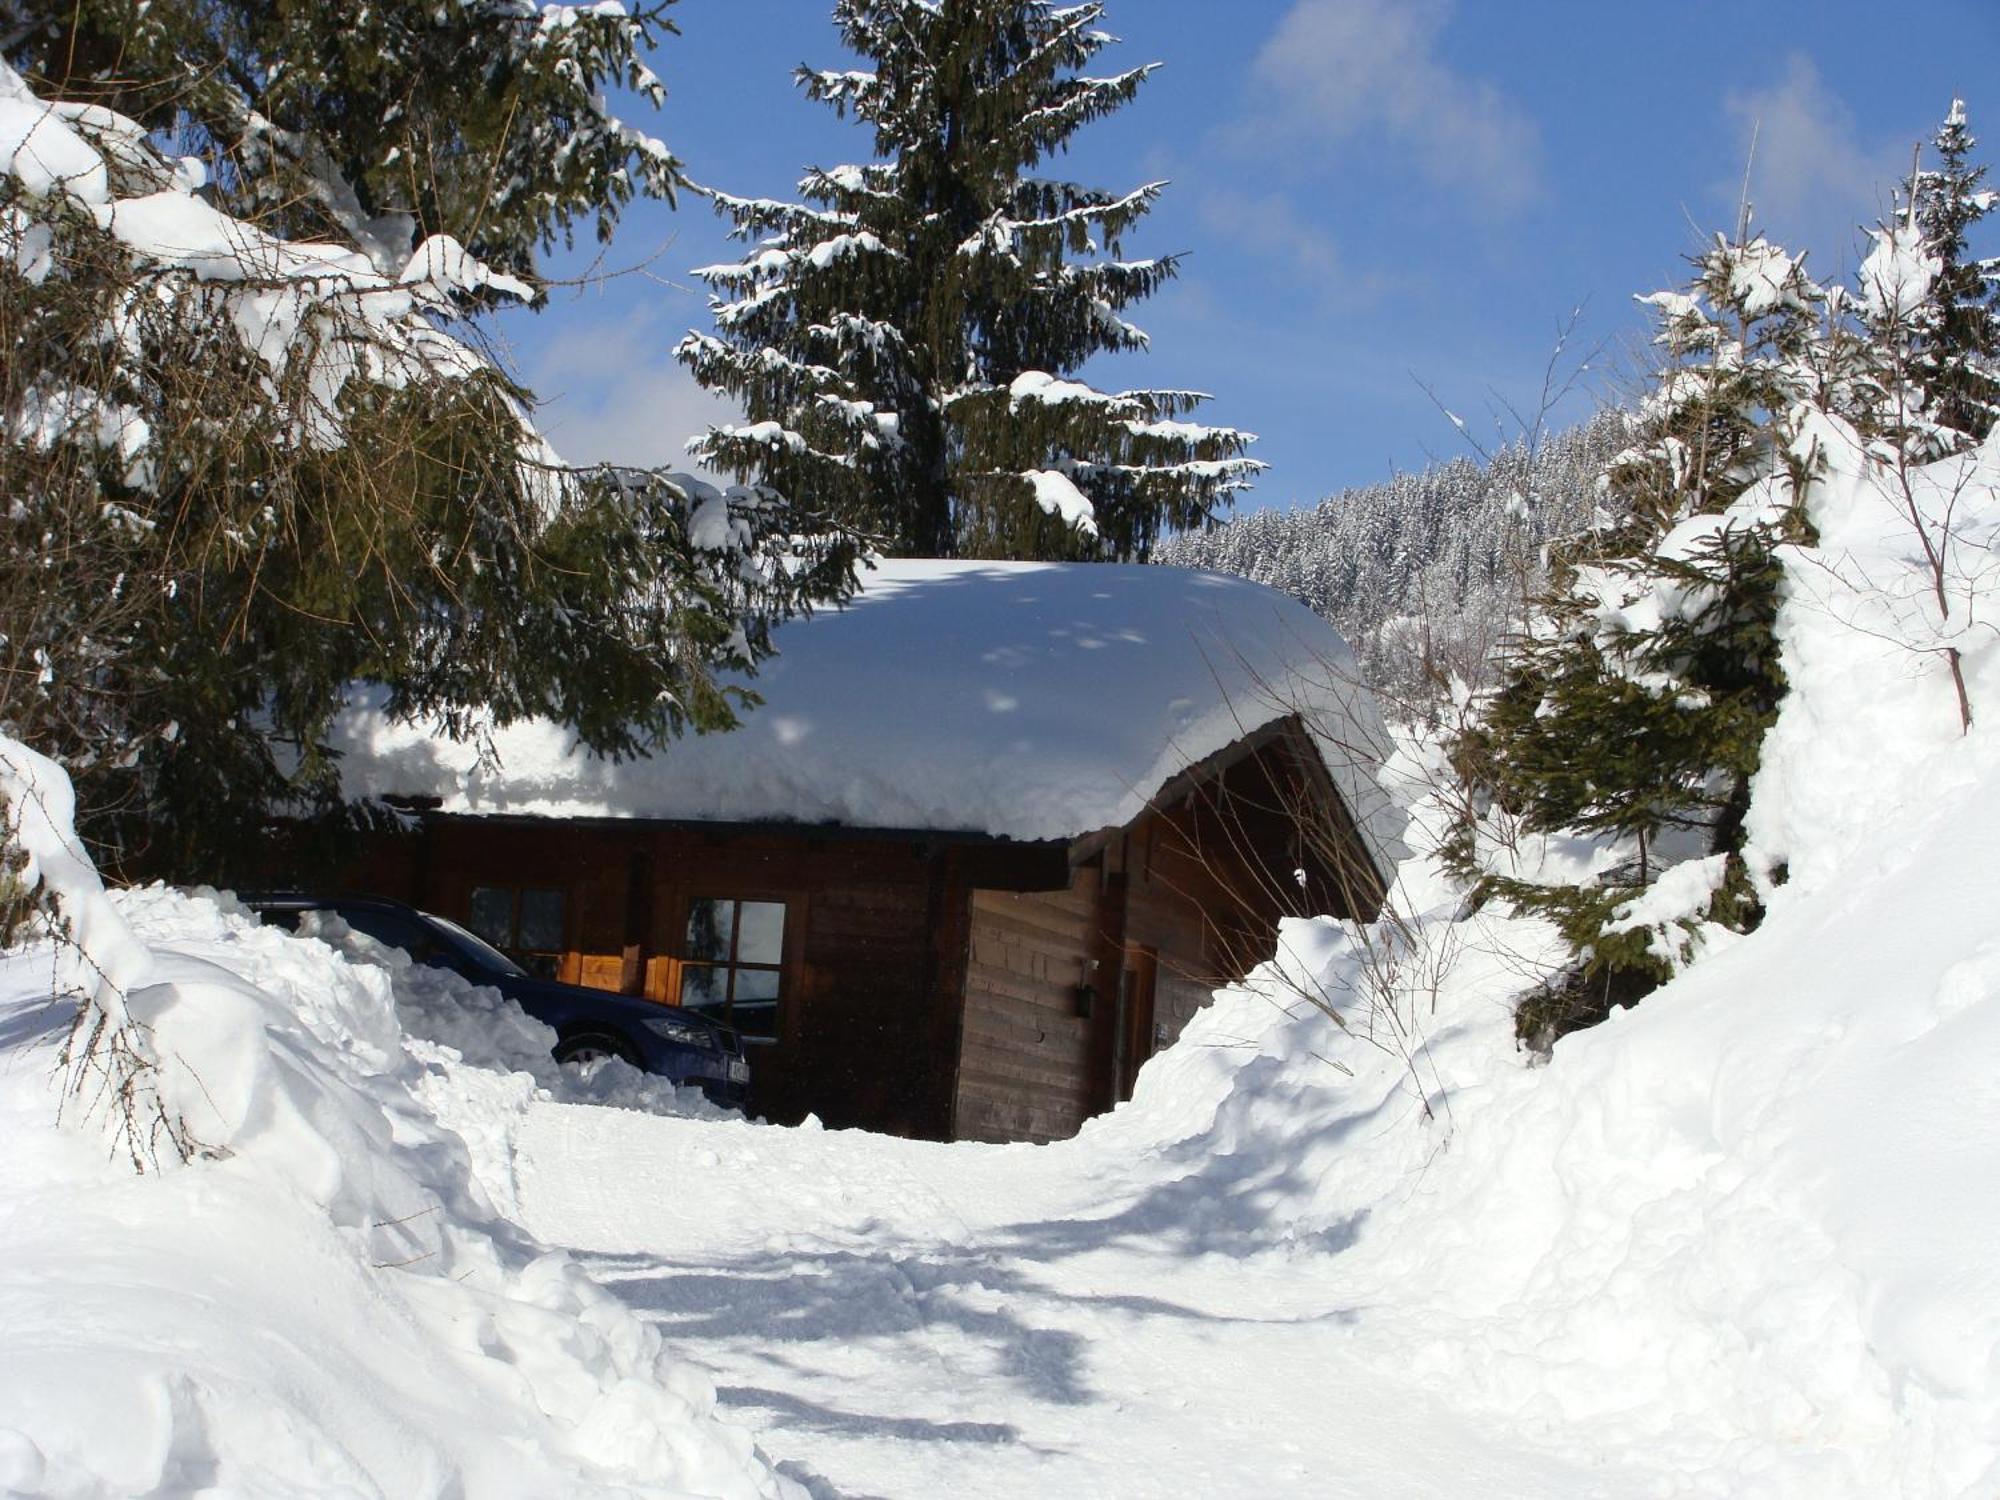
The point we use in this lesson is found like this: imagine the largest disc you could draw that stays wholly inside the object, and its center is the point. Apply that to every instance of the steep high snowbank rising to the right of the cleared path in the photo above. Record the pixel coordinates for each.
(1745, 1231)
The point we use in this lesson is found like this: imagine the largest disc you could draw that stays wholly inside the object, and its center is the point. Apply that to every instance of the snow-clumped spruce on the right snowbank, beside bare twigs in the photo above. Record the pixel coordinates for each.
(1631, 719)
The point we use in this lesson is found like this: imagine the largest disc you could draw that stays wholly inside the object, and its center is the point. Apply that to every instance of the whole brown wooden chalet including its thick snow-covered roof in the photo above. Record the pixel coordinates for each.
(993, 837)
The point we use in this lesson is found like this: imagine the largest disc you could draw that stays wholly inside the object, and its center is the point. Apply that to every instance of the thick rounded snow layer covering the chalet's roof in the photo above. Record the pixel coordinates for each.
(1027, 701)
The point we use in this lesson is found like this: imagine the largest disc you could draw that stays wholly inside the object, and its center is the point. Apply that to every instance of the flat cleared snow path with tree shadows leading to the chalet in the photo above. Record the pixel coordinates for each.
(905, 1321)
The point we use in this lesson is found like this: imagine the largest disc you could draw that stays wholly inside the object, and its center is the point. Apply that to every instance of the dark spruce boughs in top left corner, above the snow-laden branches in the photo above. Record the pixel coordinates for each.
(375, 125)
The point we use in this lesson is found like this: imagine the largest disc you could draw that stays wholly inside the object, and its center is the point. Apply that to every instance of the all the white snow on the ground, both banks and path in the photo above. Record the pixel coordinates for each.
(1737, 1243)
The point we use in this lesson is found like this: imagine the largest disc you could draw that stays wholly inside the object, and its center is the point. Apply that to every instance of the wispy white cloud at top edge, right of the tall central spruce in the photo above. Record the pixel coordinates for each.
(1371, 69)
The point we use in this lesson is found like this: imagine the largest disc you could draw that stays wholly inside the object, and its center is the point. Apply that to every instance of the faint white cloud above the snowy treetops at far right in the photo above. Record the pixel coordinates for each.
(1813, 181)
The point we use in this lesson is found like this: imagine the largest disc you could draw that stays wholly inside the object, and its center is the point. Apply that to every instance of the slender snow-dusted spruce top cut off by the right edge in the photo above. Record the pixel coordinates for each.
(1957, 347)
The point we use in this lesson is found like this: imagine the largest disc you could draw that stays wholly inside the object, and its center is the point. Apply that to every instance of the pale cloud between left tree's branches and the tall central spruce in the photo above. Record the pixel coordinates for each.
(613, 393)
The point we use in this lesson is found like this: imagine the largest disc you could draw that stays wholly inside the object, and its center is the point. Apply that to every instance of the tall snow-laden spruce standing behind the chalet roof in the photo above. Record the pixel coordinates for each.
(903, 339)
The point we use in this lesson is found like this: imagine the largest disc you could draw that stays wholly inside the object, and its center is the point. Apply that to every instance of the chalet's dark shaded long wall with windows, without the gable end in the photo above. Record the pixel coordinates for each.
(873, 957)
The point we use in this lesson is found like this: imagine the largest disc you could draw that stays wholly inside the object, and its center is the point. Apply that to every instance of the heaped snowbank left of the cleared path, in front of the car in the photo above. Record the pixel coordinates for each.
(325, 1303)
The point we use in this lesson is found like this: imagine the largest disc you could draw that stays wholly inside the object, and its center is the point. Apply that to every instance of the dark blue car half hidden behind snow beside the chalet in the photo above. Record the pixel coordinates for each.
(591, 1025)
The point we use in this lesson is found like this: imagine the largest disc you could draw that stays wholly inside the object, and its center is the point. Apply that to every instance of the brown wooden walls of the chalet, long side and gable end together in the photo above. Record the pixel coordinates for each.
(933, 985)
